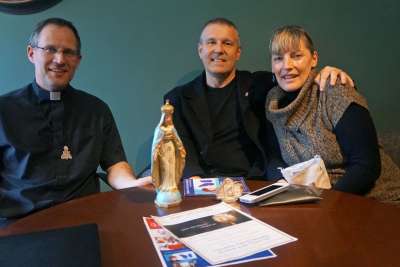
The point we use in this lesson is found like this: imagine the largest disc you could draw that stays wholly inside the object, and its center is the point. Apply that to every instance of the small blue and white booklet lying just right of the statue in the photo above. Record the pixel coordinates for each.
(208, 186)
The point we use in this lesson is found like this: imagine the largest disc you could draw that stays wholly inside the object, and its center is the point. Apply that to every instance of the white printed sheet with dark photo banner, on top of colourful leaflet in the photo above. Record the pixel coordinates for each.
(221, 233)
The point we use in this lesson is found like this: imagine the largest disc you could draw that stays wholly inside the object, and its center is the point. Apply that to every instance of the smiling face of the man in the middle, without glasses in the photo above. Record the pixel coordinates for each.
(219, 50)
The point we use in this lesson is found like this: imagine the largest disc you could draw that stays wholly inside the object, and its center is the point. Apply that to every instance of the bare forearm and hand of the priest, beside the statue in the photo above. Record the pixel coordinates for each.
(120, 175)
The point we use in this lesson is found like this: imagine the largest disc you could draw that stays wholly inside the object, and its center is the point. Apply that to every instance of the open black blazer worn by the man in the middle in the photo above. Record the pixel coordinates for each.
(192, 120)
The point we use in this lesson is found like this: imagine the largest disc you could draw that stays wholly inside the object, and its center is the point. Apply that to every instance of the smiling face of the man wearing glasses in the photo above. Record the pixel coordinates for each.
(54, 71)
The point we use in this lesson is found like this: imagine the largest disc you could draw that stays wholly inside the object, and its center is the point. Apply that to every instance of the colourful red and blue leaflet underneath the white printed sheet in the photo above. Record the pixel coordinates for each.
(174, 253)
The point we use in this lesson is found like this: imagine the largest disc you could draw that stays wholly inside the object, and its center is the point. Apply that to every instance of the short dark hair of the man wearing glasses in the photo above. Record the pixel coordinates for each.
(33, 39)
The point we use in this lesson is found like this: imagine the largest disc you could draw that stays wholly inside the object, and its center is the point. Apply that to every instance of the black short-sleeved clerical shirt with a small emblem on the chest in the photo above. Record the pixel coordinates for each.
(35, 132)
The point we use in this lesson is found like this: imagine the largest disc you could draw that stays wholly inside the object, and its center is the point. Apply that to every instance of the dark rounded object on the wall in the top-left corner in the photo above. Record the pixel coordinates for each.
(21, 7)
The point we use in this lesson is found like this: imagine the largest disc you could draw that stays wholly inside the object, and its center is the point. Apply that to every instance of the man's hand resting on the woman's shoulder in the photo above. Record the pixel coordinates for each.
(334, 74)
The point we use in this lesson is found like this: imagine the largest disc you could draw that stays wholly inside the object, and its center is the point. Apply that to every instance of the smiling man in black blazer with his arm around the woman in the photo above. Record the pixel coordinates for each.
(220, 115)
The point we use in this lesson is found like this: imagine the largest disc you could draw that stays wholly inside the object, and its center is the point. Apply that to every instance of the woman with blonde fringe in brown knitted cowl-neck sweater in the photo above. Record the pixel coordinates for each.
(334, 123)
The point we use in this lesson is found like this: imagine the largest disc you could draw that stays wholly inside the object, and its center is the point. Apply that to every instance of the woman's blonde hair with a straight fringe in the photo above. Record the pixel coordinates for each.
(288, 37)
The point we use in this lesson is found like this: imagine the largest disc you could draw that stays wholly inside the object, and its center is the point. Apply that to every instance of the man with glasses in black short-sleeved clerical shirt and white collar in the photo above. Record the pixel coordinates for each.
(53, 137)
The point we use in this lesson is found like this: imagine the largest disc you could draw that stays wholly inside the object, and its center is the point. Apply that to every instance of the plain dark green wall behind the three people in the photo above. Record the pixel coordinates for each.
(135, 51)
